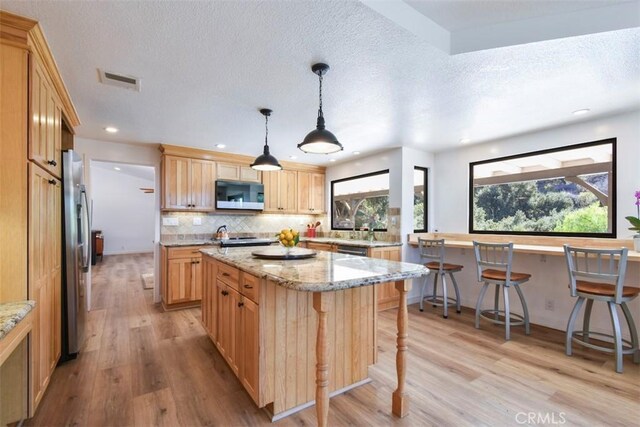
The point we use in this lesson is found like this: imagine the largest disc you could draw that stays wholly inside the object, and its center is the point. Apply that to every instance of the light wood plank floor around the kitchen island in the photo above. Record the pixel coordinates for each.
(141, 366)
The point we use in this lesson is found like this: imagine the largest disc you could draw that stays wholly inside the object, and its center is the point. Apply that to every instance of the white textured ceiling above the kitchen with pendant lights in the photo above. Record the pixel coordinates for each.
(207, 67)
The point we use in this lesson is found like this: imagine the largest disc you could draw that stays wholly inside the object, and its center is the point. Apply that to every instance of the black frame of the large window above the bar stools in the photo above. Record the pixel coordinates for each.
(613, 196)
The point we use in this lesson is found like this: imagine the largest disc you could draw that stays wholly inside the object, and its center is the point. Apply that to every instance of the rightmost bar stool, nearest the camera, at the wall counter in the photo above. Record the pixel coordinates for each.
(598, 275)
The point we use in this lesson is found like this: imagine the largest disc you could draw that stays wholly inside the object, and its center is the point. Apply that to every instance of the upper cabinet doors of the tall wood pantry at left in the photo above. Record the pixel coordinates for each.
(45, 143)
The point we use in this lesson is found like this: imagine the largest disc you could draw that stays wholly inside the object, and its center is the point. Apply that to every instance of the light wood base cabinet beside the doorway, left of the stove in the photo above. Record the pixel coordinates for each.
(181, 277)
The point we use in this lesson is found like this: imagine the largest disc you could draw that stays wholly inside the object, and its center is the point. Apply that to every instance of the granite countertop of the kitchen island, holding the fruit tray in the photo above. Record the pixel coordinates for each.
(325, 272)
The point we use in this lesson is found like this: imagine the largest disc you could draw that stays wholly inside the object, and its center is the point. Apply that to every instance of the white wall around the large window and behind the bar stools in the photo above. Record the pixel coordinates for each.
(549, 281)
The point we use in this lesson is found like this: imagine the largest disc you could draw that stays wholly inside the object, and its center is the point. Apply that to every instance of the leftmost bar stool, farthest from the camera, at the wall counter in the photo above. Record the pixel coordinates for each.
(434, 250)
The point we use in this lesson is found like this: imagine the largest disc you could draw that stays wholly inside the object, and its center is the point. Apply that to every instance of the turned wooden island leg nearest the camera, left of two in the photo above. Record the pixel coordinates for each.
(322, 303)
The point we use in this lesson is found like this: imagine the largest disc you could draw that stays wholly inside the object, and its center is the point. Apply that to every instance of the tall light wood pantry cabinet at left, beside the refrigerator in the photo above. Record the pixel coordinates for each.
(33, 104)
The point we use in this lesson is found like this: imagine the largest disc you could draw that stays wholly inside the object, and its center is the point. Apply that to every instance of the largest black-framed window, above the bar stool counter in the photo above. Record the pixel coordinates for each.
(568, 191)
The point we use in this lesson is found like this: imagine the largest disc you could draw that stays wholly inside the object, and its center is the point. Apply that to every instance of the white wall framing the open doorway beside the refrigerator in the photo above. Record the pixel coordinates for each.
(139, 154)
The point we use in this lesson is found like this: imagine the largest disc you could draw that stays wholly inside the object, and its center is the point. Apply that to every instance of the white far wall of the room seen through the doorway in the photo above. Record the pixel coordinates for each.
(122, 211)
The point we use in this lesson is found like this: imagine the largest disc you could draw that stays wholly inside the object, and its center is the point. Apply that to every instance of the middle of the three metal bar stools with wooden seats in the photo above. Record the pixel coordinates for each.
(494, 267)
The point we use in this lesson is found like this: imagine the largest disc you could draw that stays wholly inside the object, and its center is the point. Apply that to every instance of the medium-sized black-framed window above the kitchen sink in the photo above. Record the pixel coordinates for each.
(360, 201)
